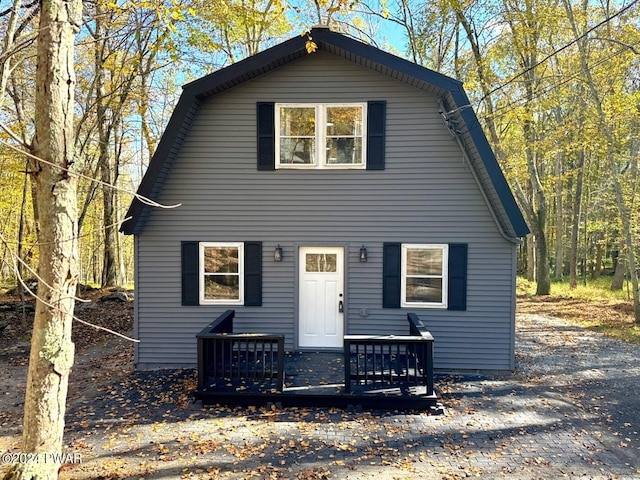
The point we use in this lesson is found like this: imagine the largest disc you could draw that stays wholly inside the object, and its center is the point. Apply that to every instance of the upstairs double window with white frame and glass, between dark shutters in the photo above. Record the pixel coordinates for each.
(329, 135)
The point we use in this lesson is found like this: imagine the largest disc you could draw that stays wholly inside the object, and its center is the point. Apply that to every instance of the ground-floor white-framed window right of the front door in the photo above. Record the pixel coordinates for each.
(424, 275)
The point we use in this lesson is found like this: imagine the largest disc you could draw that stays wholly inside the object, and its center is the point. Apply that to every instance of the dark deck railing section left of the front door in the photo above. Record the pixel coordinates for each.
(226, 359)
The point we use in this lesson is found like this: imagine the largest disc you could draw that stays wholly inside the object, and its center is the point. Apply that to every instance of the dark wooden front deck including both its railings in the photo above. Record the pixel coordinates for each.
(389, 372)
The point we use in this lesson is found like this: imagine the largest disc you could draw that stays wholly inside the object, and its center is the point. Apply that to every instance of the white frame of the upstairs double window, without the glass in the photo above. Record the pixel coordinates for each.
(320, 160)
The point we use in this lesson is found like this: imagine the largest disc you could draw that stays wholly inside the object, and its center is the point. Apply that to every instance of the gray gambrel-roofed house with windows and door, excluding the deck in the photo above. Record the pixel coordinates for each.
(326, 194)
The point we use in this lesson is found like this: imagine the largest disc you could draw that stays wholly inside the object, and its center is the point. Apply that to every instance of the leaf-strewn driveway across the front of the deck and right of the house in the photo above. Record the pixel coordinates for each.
(570, 411)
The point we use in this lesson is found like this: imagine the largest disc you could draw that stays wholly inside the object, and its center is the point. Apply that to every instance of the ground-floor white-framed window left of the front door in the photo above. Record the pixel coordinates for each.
(221, 269)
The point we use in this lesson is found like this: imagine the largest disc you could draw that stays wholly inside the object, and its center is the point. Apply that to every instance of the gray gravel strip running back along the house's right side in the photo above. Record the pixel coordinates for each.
(595, 378)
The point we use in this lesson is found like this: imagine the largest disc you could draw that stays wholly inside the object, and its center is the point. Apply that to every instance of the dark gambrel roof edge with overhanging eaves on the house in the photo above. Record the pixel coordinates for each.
(462, 119)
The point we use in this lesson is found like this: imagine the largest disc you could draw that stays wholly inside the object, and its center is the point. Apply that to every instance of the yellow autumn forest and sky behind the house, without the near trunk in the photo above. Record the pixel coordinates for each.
(556, 84)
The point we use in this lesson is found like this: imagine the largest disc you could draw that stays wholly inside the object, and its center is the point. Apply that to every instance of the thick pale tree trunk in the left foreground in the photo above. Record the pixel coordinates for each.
(51, 348)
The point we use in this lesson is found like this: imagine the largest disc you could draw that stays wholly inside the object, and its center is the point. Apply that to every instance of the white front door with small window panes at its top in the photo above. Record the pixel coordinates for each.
(321, 320)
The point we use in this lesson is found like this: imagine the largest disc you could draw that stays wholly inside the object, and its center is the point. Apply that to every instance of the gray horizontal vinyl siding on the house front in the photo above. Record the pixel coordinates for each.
(426, 194)
